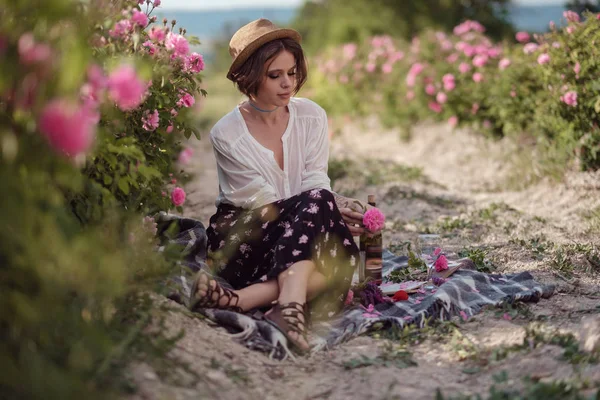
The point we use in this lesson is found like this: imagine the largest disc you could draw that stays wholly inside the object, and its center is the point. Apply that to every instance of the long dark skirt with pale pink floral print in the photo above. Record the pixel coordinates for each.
(251, 246)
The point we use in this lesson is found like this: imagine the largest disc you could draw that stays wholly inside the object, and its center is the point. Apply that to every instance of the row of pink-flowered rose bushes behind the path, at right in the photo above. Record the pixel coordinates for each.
(540, 86)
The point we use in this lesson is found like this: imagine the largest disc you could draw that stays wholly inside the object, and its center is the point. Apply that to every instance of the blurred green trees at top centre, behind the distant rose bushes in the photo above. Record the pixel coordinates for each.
(334, 22)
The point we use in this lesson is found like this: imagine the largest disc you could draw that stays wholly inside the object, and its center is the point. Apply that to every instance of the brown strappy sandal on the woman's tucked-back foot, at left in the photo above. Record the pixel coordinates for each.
(208, 300)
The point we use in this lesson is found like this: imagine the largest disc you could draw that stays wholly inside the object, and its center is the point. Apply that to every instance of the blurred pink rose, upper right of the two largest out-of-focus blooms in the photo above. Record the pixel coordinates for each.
(125, 88)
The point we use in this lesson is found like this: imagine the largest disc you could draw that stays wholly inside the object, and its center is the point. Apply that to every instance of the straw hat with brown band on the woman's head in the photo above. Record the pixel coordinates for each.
(253, 35)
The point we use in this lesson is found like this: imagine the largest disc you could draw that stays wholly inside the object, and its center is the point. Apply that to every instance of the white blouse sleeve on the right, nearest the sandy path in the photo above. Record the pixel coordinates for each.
(314, 175)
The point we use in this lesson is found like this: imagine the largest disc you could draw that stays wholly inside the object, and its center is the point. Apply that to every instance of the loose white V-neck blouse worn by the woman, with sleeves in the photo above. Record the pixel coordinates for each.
(249, 176)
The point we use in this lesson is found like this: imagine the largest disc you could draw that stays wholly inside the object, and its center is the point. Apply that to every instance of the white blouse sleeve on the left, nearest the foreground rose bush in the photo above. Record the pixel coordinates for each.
(241, 185)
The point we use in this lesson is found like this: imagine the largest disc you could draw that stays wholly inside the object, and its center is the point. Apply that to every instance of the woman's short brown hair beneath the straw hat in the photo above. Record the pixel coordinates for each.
(252, 72)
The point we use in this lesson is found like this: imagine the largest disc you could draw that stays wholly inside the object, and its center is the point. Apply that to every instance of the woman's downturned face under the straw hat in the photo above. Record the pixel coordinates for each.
(279, 81)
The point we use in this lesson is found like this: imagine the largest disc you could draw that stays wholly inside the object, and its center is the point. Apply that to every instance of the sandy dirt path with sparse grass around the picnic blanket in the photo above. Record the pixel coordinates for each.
(451, 183)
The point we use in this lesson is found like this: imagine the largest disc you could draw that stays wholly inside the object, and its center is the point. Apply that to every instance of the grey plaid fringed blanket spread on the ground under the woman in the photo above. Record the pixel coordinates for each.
(464, 294)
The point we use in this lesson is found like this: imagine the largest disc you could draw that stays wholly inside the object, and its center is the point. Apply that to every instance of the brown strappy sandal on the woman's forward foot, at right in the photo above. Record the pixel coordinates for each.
(290, 317)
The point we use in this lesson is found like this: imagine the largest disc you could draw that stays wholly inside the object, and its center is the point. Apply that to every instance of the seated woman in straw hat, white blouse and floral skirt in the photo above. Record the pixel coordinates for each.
(279, 236)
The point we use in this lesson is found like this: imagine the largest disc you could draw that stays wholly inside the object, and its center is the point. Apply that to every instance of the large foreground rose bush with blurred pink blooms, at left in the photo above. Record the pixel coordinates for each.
(96, 98)
